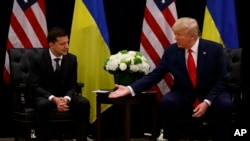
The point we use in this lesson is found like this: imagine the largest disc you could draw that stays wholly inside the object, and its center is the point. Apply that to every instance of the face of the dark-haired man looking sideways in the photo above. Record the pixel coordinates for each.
(60, 47)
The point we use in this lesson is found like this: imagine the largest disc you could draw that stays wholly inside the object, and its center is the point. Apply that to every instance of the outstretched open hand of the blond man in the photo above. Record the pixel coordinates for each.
(120, 91)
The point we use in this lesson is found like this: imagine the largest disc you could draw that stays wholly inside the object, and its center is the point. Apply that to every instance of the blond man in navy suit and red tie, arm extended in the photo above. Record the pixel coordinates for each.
(208, 87)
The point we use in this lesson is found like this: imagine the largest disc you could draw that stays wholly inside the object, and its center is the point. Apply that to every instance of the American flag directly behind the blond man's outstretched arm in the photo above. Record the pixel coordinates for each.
(159, 16)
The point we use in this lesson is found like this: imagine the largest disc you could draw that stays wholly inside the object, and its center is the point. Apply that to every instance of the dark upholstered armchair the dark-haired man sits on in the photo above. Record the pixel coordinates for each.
(23, 118)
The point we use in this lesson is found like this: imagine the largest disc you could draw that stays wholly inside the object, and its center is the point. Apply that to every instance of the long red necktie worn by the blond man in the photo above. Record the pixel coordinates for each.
(192, 73)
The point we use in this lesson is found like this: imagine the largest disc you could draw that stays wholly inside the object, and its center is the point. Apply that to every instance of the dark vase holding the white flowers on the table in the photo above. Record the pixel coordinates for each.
(126, 78)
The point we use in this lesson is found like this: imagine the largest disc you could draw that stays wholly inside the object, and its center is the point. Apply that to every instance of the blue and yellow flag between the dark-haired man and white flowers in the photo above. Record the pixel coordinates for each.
(89, 41)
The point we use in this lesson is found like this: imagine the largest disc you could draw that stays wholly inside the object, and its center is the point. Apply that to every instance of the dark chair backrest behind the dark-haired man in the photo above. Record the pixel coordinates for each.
(19, 61)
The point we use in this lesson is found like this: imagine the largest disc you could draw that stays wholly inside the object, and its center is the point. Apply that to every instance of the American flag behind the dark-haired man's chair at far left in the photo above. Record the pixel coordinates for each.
(28, 28)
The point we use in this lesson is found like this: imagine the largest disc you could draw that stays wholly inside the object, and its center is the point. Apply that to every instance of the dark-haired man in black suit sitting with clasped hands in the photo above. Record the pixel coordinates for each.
(54, 87)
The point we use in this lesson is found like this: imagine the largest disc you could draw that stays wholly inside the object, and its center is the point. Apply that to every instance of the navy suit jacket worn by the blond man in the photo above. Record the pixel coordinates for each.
(211, 71)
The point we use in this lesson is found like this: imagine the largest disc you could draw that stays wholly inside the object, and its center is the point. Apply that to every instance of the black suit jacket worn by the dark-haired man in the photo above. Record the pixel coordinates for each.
(42, 76)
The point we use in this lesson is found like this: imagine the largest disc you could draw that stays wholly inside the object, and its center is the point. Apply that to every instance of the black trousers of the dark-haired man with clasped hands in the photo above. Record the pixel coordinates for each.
(78, 105)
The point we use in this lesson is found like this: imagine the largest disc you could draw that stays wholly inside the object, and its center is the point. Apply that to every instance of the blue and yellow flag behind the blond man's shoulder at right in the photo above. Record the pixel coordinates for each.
(220, 23)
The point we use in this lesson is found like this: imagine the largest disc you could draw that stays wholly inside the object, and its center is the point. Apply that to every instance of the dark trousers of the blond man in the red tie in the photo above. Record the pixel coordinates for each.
(175, 106)
